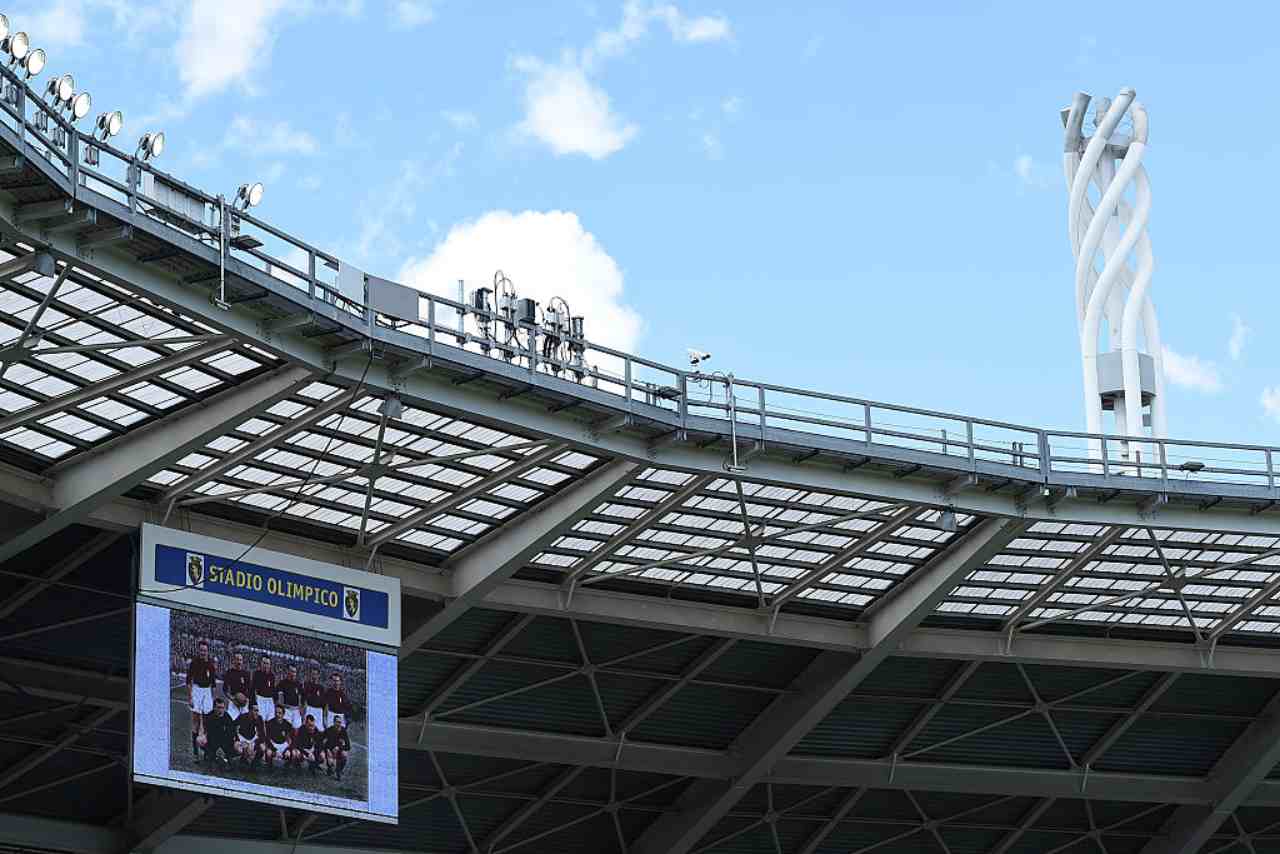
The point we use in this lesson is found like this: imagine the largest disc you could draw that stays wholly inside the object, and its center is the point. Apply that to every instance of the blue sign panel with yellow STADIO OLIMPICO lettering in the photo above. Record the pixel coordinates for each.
(198, 570)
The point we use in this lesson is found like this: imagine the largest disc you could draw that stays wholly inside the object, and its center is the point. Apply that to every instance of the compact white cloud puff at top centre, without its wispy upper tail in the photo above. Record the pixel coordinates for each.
(569, 113)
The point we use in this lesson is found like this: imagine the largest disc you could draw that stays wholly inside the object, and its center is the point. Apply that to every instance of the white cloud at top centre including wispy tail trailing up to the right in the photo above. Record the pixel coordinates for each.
(569, 112)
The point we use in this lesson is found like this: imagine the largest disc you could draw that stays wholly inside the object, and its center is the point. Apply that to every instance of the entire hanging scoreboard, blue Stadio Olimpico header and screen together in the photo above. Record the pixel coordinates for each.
(266, 677)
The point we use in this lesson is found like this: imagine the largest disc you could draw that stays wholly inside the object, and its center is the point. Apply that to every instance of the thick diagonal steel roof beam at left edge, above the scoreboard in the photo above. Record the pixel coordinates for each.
(94, 479)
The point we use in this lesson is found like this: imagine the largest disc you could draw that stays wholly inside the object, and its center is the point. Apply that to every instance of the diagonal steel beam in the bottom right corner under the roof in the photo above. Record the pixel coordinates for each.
(1231, 783)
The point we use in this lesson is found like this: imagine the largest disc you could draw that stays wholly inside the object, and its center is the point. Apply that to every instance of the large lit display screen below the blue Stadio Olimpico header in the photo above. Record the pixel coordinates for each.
(262, 714)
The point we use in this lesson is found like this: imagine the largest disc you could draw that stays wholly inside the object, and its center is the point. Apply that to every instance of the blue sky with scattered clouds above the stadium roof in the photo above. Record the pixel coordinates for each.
(835, 198)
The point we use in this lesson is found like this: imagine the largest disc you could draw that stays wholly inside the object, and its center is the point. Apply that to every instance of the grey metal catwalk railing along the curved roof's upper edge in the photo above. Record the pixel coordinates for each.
(753, 414)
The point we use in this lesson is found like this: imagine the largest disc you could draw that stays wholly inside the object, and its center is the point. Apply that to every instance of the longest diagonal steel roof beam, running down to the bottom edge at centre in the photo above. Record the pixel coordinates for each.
(821, 688)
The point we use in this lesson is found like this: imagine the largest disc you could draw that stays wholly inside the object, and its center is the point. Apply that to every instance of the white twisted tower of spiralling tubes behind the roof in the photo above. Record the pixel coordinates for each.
(1113, 234)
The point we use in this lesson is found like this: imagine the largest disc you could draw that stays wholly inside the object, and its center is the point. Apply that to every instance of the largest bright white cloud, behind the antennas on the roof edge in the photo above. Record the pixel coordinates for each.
(546, 254)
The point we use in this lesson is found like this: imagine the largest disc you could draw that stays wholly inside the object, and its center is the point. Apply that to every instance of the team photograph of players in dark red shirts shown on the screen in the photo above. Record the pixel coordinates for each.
(267, 706)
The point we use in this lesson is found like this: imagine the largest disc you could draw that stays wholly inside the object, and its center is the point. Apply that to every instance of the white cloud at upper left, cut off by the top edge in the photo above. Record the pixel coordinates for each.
(225, 44)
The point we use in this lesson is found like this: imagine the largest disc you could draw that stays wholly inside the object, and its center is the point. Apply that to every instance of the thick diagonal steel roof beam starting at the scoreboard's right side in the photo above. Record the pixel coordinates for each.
(497, 558)
